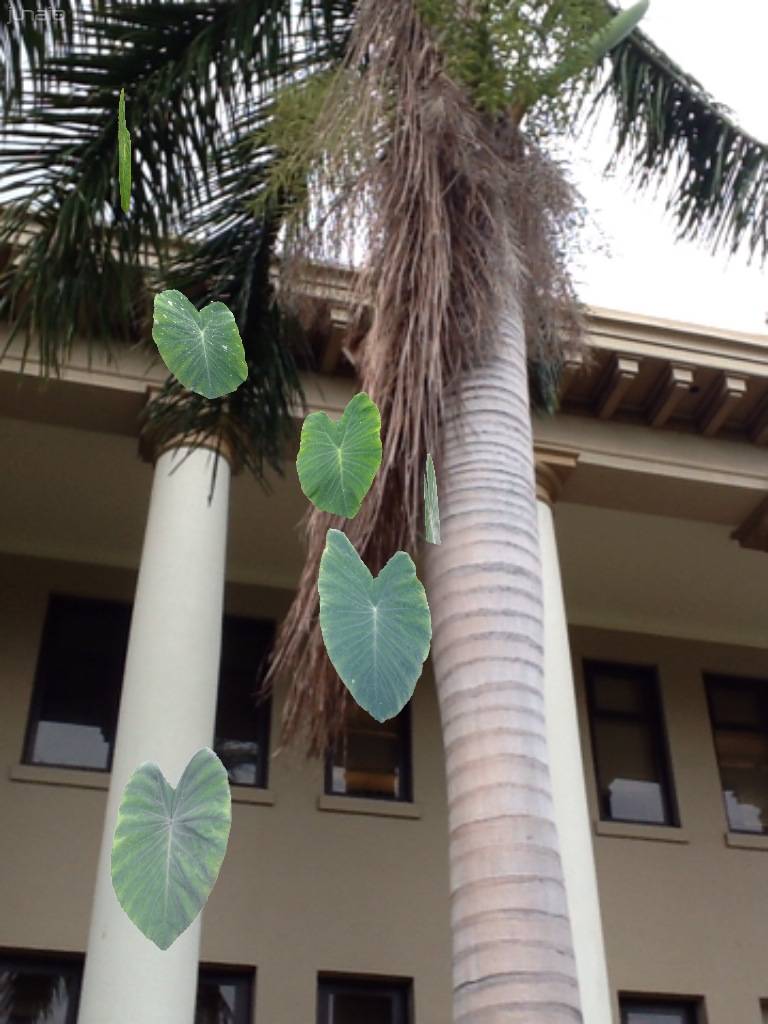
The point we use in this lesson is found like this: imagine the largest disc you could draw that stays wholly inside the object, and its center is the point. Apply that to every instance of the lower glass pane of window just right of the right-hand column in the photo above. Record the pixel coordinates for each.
(628, 772)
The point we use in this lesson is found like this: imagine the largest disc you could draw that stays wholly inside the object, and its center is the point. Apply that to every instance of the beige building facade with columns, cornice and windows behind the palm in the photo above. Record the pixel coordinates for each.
(332, 905)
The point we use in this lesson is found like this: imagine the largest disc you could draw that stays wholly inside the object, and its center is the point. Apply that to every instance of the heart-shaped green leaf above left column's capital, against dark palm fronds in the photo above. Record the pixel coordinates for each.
(202, 349)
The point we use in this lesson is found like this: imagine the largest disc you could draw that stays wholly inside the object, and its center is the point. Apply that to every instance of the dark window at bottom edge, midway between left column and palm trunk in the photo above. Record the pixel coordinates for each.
(345, 1001)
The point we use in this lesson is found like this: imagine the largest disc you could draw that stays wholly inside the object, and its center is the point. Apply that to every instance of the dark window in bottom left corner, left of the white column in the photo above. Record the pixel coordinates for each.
(37, 992)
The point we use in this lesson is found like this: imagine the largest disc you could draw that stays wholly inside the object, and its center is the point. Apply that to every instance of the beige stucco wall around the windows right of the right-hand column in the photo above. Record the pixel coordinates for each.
(688, 918)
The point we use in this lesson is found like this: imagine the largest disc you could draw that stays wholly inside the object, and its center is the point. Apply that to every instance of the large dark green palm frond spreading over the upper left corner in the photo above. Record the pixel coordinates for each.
(188, 69)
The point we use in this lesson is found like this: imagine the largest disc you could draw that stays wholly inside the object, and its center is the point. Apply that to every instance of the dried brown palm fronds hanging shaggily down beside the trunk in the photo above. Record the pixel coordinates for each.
(446, 190)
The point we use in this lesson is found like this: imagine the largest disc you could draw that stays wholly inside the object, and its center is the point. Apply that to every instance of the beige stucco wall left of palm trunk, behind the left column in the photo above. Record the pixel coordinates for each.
(302, 891)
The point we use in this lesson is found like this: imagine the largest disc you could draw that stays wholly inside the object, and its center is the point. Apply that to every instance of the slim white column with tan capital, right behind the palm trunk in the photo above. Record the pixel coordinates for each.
(567, 764)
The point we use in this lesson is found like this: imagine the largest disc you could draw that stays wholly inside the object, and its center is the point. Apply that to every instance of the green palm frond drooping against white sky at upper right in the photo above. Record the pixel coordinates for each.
(676, 135)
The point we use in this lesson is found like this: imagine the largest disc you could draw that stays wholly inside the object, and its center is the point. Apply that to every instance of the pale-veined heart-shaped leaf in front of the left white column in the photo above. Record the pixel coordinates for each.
(169, 845)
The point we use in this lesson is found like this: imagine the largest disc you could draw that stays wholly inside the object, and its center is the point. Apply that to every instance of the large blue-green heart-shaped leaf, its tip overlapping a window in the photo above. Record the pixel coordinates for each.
(377, 632)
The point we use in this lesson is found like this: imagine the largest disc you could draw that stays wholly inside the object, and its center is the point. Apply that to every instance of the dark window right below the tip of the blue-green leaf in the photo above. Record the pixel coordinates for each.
(372, 759)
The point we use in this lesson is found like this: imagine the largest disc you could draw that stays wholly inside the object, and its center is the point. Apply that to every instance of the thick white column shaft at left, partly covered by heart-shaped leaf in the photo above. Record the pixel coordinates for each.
(167, 712)
